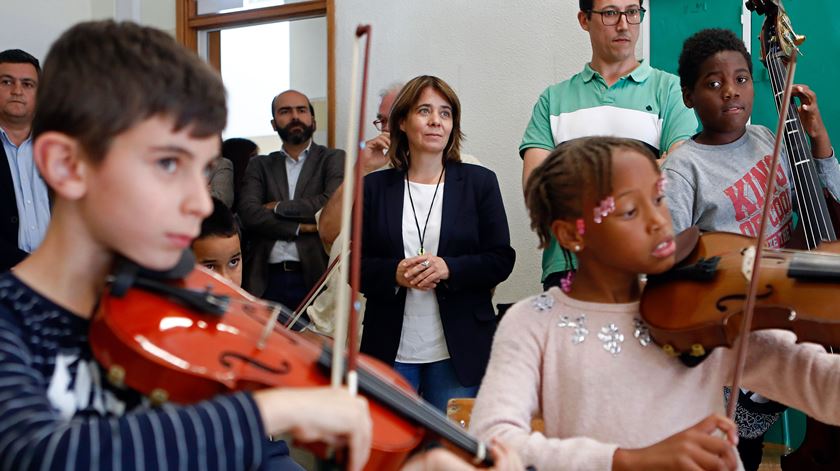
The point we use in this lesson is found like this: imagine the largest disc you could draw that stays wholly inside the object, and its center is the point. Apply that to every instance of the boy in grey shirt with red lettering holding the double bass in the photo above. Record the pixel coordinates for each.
(717, 180)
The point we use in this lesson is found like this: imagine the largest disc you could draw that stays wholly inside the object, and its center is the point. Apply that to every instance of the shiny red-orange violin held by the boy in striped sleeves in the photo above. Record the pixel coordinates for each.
(188, 339)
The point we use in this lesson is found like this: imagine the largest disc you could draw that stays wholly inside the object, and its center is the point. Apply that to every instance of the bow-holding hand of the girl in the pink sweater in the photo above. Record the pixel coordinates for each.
(699, 447)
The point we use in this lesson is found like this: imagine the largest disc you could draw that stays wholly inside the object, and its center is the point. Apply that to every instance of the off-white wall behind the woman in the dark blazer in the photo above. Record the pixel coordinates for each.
(498, 55)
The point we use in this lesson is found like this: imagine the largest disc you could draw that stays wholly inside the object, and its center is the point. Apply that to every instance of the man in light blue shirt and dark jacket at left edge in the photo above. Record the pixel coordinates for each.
(24, 200)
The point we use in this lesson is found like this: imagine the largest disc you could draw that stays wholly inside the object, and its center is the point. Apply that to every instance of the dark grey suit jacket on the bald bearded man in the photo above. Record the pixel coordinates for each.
(264, 181)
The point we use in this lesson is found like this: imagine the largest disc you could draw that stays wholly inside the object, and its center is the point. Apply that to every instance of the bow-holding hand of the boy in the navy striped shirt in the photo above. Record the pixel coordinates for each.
(325, 415)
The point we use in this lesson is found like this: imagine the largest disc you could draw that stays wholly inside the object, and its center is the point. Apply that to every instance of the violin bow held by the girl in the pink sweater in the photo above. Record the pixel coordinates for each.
(752, 273)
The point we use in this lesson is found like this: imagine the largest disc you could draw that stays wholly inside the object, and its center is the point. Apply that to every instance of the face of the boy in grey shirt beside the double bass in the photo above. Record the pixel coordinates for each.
(722, 98)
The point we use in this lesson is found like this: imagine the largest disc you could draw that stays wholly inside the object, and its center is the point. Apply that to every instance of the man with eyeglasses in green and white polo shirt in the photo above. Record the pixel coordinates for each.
(615, 94)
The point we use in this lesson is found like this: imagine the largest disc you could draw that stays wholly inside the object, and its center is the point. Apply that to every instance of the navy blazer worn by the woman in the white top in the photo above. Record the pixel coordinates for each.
(474, 242)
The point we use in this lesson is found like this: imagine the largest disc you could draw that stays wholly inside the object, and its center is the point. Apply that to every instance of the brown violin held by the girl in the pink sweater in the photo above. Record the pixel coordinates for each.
(699, 304)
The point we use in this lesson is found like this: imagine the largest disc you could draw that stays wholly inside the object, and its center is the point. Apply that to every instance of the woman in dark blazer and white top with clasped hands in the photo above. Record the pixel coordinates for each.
(435, 244)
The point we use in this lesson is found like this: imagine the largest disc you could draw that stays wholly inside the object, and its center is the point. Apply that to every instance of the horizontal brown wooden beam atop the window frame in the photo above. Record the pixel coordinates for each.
(292, 11)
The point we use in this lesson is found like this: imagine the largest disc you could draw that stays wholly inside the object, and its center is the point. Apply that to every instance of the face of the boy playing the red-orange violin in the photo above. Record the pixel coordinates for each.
(148, 196)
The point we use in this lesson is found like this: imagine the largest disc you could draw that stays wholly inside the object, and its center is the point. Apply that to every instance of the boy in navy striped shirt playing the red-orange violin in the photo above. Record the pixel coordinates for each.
(125, 133)
